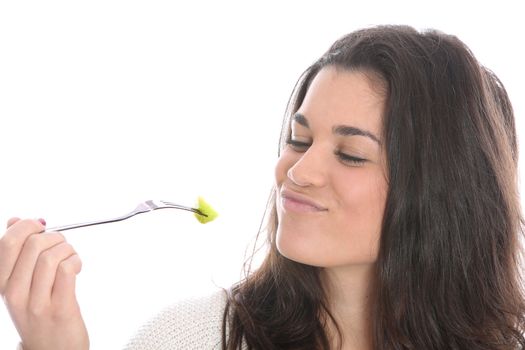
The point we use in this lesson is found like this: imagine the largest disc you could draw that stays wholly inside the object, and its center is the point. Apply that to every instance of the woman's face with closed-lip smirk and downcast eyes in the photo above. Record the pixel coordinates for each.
(331, 182)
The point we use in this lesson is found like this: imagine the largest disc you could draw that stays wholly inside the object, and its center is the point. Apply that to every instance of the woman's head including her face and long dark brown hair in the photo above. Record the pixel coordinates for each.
(434, 207)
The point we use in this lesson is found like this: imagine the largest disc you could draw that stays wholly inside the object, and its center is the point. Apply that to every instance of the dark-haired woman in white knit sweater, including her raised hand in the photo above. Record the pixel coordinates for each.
(394, 224)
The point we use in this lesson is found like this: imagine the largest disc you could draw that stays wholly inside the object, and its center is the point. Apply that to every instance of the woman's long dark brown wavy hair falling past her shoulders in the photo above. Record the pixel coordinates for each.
(447, 274)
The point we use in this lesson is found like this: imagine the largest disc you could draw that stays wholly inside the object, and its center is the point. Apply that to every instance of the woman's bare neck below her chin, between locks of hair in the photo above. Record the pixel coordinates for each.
(348, 294)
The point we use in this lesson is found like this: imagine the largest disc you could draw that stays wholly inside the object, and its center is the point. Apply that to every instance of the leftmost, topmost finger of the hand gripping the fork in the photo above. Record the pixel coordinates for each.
(11, 245)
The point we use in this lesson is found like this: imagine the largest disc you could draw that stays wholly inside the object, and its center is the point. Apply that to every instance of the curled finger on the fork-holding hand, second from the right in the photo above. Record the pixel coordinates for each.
(45, 272)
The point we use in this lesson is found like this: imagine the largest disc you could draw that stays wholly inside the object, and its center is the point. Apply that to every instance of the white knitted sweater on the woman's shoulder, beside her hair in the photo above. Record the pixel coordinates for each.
(190, 324)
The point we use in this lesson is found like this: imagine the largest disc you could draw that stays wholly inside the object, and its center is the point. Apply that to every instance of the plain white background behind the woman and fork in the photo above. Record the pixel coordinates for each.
(104, 104)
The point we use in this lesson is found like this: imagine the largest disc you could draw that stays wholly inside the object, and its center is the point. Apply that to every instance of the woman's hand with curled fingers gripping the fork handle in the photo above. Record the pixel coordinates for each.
(37, 281)
